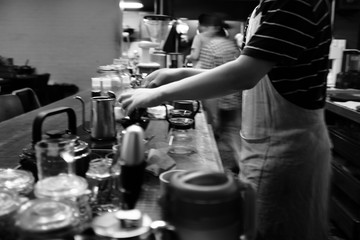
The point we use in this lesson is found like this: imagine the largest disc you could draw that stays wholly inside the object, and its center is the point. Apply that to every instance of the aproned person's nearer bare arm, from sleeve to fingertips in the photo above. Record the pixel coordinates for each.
(243, 73)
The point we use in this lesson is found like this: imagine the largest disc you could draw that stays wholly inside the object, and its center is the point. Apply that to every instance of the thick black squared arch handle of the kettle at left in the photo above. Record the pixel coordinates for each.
(39, 119)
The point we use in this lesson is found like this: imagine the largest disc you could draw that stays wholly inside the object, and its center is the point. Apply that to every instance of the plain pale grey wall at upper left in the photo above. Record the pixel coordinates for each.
(68, 39)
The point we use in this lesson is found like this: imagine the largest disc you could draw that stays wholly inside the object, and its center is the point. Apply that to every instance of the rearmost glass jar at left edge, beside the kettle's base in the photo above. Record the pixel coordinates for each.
(17, 180)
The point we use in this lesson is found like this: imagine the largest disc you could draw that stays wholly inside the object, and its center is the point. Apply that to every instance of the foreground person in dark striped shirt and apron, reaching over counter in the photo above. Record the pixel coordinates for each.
(285, 149)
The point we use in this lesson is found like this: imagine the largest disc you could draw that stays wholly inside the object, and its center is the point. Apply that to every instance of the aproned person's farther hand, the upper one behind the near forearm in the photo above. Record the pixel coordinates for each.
(162, 76)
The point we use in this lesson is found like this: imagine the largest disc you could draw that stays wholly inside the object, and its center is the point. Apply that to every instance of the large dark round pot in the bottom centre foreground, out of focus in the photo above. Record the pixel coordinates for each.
(206, 205)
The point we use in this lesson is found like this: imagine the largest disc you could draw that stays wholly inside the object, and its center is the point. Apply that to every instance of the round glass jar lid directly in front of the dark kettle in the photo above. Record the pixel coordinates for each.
(61, 186)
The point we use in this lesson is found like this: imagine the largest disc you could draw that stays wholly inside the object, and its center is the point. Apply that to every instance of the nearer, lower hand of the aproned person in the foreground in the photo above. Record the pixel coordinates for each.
(139, 98)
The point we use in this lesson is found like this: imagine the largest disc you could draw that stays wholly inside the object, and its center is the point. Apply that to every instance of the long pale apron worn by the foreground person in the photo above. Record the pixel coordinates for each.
(286, 157)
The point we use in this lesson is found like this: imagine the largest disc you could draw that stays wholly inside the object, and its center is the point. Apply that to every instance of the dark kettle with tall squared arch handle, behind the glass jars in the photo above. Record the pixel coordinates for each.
(81, 148)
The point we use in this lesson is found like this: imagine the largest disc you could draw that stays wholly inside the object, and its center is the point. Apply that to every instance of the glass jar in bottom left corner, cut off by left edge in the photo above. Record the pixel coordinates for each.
(9, 203)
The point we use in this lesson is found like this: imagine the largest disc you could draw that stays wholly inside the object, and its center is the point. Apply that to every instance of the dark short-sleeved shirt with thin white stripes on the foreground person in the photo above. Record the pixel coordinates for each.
(296, 34)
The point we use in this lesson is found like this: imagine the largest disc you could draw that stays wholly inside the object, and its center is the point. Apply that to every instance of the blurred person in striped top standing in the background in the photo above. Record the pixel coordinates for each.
(223, 113)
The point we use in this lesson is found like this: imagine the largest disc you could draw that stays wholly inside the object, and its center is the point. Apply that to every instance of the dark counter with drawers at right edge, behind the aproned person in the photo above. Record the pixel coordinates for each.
(344, 129)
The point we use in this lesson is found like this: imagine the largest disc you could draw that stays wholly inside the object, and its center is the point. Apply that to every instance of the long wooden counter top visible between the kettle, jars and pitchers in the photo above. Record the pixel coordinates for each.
(16, 134)
